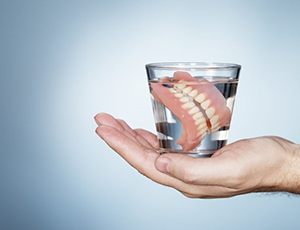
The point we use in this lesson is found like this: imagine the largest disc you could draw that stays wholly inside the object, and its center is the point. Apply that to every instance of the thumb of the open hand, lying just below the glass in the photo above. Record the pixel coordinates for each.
(200, 171)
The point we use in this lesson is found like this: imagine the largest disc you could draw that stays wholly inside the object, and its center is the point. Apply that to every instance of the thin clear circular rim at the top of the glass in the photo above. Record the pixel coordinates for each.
(193, 65)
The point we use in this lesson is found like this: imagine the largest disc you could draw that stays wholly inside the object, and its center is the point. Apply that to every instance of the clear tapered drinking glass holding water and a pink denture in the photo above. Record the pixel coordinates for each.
(192, 105)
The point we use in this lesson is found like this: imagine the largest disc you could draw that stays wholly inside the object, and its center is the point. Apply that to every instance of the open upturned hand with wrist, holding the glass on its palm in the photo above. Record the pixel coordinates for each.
(261, 164)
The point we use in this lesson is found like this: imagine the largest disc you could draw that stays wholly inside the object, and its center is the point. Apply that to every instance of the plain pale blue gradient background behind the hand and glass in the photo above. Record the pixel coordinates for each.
(64, 61)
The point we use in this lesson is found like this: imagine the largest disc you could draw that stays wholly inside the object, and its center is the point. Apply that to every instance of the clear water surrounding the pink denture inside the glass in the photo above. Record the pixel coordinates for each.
(169, 128)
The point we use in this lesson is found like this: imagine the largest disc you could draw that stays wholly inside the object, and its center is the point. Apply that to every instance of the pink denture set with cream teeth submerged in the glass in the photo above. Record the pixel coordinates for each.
(197, 103)
